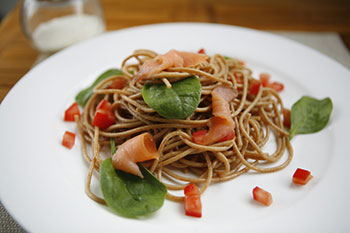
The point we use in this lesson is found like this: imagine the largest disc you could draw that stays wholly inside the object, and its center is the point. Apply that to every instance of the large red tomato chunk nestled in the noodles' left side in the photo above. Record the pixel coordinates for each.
(104, 116)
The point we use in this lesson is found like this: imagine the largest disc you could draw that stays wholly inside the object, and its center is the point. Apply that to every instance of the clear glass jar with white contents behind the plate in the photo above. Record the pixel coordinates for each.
(52, 25)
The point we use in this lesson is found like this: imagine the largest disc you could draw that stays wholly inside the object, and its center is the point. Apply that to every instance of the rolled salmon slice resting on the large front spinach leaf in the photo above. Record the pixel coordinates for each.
(137, 149)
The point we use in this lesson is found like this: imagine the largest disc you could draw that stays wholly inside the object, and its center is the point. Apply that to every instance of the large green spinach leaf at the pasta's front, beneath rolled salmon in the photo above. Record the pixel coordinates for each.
(130, 195)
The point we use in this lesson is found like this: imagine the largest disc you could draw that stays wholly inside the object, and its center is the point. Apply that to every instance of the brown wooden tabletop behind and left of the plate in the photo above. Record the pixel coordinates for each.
(17, 56)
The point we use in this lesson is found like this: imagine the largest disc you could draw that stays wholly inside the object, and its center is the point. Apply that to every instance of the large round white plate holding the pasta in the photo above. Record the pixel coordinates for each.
(42, 183)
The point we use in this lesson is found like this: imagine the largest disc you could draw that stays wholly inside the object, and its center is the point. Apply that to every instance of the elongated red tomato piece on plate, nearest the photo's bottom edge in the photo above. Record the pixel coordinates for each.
(193, 205)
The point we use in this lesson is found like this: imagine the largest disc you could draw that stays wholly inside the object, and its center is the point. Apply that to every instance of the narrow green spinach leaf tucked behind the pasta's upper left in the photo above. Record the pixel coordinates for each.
(84, 95)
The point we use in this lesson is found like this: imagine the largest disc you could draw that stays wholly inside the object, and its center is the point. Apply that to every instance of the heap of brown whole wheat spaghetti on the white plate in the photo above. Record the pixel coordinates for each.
(257, 121)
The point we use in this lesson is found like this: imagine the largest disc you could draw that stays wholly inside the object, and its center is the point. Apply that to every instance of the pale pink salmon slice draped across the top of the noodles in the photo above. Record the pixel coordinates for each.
(173, 58)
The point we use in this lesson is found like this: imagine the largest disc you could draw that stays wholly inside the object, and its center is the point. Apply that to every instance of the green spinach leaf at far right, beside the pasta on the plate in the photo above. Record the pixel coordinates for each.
(309, 115)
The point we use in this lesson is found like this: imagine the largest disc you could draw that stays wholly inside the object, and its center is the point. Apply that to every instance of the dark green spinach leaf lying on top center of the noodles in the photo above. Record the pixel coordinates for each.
(177, 102)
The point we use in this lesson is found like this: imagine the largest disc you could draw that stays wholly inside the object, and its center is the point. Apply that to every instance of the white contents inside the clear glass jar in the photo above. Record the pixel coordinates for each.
(61, 32)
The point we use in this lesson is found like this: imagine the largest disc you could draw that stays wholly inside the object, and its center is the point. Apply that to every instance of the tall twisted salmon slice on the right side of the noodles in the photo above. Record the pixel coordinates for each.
(221, 125)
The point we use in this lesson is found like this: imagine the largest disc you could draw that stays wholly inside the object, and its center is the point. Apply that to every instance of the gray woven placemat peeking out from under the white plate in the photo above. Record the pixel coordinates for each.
(328, 43)
